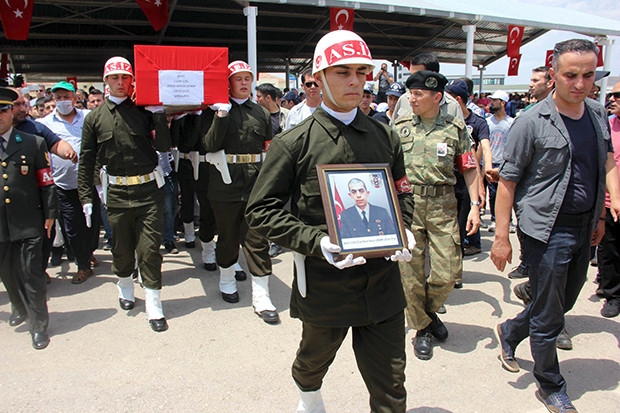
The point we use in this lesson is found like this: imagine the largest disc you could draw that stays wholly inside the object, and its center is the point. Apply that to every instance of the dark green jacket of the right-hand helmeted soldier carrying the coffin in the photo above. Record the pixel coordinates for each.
(245, 130)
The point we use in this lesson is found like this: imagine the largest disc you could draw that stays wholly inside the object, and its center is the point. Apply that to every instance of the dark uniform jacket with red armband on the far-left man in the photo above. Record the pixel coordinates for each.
(28, 194)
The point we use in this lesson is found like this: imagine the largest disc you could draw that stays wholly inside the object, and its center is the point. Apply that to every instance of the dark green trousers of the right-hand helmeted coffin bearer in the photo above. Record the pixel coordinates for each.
(233, 231)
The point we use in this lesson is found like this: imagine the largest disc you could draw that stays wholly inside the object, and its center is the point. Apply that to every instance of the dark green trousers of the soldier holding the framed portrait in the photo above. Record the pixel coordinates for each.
(379, 352)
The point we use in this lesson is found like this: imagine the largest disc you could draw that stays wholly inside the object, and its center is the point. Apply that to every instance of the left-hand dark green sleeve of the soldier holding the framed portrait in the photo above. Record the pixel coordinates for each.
(265, 212)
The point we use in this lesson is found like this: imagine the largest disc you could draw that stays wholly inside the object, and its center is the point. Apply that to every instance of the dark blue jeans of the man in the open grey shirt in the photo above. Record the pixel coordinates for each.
(557, 271)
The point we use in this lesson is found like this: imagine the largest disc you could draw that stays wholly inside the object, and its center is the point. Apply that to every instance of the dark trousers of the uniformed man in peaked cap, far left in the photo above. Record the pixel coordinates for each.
(24, 280)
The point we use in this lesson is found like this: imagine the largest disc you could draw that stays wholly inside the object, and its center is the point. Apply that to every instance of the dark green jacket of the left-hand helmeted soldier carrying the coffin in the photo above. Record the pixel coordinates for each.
(124, 138)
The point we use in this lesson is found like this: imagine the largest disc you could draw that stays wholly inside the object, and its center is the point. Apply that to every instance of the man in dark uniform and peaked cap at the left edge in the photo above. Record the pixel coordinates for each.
(27, 212)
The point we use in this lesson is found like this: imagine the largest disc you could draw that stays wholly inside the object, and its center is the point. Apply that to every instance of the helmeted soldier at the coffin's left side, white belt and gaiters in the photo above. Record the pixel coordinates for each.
(124, 138)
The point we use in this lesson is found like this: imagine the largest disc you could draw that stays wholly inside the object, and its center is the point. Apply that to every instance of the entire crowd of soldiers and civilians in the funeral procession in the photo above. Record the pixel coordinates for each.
(248, 166)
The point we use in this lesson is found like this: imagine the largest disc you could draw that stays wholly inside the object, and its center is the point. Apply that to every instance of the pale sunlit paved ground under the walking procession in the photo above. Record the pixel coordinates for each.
(219, 357)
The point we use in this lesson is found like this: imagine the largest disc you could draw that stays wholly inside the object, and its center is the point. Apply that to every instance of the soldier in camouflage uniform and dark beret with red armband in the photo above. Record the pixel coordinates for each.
(433, 142)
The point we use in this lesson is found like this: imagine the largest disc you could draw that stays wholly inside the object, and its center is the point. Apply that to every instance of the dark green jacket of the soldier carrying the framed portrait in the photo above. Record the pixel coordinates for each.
(355, 296)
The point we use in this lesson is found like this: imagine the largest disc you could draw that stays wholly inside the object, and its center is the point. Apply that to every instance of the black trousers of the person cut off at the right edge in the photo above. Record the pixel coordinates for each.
(609, 259)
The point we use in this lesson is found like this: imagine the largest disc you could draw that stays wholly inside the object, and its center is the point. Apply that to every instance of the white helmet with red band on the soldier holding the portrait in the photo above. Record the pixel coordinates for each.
(341, 47)
